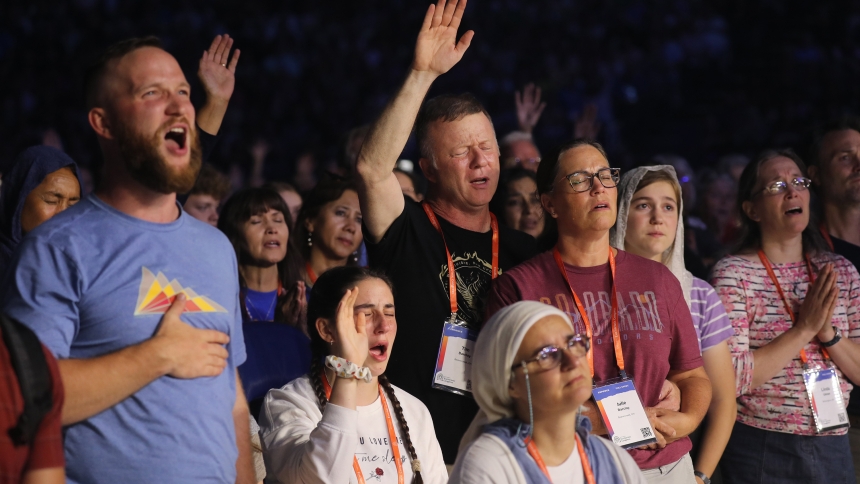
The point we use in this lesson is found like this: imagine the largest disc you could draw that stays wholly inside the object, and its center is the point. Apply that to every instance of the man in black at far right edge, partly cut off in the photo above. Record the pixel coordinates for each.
(834, 159)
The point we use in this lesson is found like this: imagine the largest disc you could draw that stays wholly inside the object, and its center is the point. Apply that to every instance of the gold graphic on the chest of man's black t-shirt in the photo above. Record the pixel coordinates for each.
(473, 284)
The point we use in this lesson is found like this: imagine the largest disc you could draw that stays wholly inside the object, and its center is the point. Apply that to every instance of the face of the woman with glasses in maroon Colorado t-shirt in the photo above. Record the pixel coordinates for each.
(590, 210)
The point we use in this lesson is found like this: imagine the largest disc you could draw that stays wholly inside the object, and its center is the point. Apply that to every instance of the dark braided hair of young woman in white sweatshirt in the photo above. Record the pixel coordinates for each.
(325, 297)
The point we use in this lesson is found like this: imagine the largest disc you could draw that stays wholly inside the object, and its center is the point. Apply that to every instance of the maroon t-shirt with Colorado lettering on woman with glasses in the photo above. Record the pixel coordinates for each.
(657, 333)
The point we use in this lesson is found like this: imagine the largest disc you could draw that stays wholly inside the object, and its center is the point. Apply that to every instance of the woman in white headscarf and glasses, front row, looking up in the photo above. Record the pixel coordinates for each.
(530, 376)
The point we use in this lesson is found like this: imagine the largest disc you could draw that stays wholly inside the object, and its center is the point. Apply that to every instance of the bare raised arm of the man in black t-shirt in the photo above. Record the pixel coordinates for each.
(436, 51)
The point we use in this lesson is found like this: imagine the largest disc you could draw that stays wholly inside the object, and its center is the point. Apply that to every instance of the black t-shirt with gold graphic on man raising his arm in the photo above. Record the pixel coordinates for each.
(412, 254)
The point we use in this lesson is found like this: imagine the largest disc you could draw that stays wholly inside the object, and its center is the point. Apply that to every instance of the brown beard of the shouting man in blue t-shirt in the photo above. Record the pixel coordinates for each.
(149, 168)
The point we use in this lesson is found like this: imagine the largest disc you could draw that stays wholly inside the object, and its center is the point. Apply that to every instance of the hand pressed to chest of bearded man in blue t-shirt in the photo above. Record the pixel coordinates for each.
(189, 352)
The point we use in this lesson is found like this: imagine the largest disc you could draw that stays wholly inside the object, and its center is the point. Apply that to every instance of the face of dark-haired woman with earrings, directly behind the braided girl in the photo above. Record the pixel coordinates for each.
(337, 228)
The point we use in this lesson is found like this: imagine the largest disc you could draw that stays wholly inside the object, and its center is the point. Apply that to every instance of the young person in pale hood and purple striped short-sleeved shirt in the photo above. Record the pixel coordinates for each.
(649, 225)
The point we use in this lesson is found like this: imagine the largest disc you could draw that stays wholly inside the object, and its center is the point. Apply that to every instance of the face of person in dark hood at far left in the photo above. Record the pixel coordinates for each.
(57, 192)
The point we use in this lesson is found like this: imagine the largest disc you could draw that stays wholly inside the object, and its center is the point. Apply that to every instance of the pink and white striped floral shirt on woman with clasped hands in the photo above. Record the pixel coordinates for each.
(758, 316)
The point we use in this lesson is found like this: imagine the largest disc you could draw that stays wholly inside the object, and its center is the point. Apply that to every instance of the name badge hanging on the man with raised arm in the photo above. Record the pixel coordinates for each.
(453, 371)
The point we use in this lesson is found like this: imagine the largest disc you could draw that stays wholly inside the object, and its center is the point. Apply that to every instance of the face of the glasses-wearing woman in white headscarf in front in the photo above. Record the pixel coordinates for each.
(560, 389)
